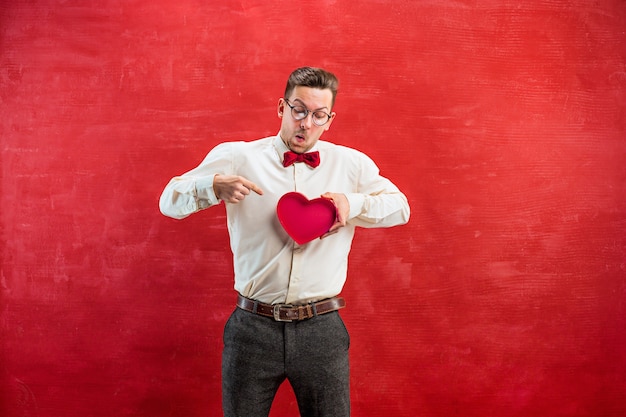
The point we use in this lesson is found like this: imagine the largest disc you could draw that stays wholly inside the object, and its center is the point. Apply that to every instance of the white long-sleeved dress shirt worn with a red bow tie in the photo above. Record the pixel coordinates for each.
(269, 266)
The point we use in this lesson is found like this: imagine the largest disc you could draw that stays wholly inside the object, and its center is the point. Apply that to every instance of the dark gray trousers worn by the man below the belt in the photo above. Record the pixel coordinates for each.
(260, 353)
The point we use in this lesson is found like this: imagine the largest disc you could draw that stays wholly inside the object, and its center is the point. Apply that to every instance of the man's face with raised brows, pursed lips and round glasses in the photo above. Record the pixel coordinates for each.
(301, 135)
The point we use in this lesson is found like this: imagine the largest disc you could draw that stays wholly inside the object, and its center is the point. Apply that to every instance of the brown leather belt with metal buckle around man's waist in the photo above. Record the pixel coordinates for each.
(289, 312)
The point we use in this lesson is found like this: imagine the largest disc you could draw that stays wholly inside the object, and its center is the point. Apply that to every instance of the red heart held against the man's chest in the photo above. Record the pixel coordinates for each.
(304, 219)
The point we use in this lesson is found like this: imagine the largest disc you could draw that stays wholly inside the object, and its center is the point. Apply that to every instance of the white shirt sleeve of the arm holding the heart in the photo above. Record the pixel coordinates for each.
(377, 202)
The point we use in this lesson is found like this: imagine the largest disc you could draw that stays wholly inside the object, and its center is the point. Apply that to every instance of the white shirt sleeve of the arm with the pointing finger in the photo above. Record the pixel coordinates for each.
(193, 191)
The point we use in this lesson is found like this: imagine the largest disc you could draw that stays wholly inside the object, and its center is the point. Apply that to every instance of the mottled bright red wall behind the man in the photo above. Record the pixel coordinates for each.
(503, 122)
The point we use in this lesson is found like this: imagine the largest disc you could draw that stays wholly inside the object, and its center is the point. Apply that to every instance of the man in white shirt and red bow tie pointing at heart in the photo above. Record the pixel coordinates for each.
(286, 324)
